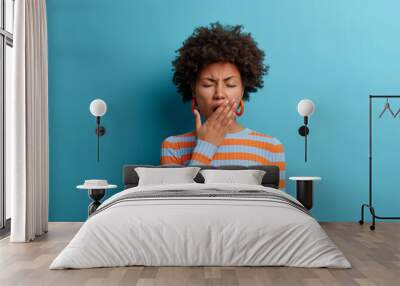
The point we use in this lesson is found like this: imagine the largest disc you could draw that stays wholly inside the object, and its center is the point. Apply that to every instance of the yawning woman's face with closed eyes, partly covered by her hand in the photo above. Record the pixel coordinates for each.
(216, 83)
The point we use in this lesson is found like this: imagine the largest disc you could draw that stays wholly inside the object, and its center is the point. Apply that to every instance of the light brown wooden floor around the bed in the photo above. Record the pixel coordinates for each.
(375, 257)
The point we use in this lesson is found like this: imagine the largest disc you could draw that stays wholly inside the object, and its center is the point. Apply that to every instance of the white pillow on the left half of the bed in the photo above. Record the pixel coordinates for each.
(162, 176)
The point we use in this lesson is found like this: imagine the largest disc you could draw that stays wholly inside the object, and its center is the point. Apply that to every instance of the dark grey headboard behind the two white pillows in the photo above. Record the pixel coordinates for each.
(270, 179)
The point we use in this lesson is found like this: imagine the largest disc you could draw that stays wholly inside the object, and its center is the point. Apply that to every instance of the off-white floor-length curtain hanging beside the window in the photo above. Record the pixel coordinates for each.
(27, 127)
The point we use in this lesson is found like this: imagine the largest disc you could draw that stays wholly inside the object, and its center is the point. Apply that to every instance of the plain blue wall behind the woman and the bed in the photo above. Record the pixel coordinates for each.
(333, 52)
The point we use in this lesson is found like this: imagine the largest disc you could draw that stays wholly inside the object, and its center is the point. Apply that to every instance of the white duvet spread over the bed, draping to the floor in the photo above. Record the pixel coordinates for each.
(200, 231)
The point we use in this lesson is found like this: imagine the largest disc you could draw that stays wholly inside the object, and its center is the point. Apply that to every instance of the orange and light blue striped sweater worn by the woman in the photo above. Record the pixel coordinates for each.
(244, 148)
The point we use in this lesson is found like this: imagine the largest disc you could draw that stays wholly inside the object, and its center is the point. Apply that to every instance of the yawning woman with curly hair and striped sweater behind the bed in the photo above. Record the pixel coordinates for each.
(216, 68)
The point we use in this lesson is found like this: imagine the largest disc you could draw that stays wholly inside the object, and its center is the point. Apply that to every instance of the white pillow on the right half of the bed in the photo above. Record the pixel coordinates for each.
(249, 177)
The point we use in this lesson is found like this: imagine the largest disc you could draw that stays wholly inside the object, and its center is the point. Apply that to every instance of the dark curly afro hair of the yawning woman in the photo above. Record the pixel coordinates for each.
(219, 43)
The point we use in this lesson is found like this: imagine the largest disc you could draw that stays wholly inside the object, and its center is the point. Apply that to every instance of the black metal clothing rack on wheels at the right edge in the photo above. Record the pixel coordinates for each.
(369, 205)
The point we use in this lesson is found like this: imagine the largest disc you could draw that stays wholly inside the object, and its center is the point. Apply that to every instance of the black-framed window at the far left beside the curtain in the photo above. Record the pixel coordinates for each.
(6, 56)
